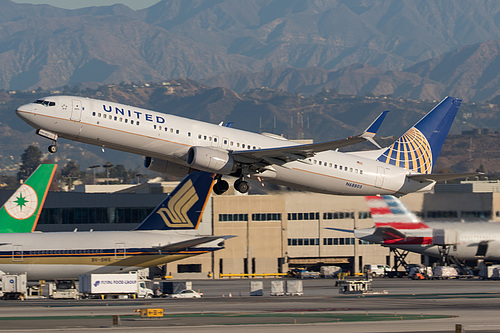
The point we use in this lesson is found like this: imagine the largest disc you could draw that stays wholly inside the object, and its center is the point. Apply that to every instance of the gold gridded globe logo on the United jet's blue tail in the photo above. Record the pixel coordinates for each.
(411, 151)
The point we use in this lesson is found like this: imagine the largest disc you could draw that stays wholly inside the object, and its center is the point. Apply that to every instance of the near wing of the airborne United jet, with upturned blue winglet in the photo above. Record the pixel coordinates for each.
(282, 155)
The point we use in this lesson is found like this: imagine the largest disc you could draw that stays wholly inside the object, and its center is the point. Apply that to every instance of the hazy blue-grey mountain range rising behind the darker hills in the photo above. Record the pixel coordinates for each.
(419, 49)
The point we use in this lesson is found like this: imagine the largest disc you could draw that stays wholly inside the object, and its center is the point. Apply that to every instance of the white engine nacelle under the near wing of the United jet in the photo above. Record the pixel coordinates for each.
(210, 160)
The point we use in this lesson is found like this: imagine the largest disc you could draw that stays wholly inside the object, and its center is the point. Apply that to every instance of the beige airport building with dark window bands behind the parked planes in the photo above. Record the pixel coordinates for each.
(274, 232)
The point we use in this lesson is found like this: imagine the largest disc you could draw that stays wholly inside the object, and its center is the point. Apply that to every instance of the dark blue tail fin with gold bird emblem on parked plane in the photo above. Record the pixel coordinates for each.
(183, 208)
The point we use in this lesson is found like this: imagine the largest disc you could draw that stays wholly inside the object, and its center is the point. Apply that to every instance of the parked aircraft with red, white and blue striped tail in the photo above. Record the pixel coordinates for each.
(397, 227)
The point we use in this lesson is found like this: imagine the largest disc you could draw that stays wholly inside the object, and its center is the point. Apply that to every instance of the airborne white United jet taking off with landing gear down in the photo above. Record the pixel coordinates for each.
(176, 145)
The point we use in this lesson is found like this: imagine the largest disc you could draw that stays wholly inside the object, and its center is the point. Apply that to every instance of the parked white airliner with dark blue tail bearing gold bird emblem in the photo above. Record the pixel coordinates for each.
(166, 235)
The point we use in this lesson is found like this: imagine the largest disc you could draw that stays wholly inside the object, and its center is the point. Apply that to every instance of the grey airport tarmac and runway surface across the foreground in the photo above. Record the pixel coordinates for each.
(409, 306)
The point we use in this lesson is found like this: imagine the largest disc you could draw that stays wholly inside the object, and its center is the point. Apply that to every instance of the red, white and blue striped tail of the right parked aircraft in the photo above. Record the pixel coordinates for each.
(394, 223)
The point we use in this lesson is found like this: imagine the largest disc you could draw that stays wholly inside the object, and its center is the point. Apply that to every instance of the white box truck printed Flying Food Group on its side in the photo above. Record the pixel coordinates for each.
(113, 286)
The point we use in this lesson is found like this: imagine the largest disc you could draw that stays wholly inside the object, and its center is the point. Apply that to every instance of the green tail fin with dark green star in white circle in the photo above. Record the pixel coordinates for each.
(21, 211)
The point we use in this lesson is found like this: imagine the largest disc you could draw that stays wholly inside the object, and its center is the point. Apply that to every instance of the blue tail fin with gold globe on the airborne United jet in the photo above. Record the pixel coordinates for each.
(419, 147)
